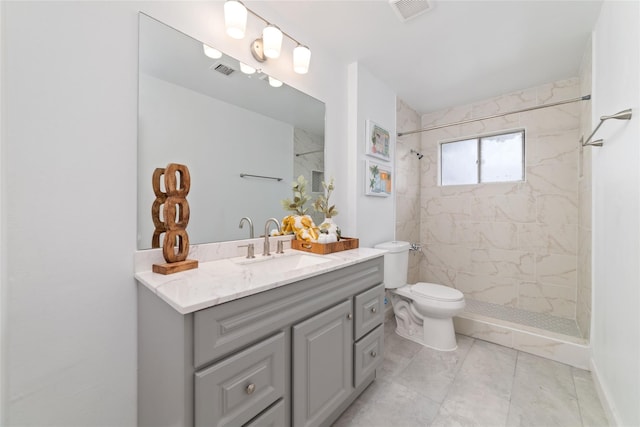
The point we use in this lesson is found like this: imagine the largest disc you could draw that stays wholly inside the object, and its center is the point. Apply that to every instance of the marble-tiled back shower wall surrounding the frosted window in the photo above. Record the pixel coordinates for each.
(514, 244)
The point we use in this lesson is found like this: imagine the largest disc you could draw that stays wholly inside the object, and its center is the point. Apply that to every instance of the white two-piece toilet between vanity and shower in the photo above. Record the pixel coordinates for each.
(424, 311)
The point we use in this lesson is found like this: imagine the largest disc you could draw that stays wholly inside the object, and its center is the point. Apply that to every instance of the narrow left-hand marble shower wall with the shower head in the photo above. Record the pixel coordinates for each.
(407, 175)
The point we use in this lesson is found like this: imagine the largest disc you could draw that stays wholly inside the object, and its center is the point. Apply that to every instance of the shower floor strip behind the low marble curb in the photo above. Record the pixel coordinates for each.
(542, 321)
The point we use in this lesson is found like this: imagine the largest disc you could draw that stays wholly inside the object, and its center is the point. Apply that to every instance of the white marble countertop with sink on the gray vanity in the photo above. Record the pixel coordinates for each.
(223, 280)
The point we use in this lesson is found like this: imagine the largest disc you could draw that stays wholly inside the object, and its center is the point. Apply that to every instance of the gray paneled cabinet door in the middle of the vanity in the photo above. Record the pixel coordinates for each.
(322, 364)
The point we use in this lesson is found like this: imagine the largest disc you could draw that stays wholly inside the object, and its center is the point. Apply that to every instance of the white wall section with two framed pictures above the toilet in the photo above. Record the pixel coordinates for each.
(370, 99)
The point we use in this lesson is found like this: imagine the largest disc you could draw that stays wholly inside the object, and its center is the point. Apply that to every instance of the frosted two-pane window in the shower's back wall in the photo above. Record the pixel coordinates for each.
(490, 158)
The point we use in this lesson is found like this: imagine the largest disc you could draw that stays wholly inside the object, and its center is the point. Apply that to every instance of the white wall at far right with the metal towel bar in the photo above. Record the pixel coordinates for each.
(615, 335)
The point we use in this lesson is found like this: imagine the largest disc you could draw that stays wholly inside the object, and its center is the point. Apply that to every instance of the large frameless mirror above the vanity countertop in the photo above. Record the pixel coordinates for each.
(243, 140)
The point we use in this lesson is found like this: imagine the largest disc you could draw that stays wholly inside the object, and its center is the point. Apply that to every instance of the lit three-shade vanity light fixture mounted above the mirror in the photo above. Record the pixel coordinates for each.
(270, 44)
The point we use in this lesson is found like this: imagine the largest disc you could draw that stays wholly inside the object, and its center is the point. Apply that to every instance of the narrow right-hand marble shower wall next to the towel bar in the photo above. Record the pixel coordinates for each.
(583, 308)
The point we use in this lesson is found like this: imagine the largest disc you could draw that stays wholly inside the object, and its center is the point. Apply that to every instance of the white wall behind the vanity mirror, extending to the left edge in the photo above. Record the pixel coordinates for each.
(69, 94)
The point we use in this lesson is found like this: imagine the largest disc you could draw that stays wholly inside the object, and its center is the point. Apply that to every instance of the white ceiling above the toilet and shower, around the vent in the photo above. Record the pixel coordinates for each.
(456, 53)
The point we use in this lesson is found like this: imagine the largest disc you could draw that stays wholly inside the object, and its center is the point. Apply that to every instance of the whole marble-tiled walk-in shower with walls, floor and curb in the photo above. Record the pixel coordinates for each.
(519, 251)
